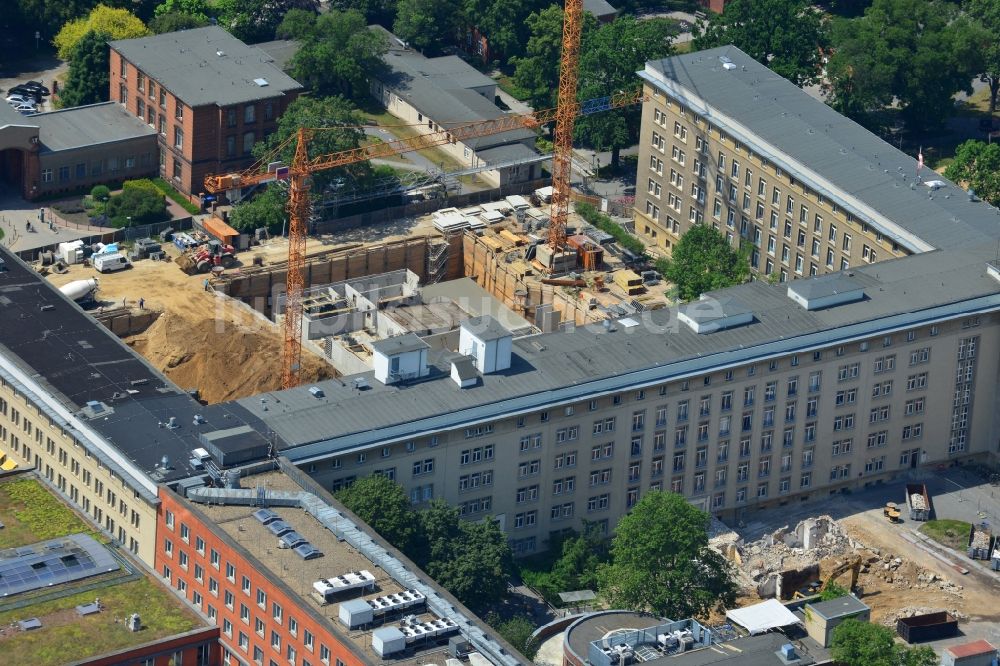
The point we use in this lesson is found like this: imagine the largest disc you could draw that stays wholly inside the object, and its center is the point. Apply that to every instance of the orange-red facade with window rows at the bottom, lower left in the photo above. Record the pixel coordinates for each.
(230, 554)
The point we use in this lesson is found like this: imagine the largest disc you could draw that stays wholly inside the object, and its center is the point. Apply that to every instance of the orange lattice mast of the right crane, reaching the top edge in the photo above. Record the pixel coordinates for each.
(566, 112)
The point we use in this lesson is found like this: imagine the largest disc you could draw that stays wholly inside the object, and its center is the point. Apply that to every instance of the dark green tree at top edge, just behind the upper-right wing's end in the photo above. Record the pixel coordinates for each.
(785, 35)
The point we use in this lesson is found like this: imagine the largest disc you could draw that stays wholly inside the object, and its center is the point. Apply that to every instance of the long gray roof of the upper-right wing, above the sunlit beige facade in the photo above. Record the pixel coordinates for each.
(837, 157)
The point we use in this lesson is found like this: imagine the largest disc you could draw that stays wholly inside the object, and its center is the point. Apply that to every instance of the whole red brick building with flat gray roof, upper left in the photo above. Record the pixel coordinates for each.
(209, 96)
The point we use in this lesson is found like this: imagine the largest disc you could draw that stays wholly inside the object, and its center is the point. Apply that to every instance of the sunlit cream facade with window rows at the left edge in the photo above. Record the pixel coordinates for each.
(30, 437)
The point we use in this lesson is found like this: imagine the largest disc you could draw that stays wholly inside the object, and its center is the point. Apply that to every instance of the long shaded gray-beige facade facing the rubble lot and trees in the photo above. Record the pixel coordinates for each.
(740, 439)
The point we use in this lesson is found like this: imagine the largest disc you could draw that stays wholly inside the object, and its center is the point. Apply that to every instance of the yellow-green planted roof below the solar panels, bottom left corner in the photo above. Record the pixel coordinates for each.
(65, 636)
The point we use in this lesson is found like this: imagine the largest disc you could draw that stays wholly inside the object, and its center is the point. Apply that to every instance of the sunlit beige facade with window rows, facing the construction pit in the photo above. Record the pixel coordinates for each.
(691, 172)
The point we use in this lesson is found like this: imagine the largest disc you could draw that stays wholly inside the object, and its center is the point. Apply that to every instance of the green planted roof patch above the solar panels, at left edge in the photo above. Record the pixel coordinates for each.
(31, 513)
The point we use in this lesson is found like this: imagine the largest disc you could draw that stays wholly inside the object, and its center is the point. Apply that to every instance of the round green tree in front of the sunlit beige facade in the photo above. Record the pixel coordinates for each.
(703, 261)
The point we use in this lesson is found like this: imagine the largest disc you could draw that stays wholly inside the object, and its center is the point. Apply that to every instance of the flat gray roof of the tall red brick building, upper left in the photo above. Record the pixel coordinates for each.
(188, 64)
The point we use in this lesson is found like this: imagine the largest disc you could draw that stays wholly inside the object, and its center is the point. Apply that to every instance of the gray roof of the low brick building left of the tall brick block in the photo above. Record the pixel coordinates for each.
(82, 126)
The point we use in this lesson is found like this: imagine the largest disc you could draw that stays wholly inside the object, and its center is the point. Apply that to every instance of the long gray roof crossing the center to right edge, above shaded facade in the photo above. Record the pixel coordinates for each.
(573, 365)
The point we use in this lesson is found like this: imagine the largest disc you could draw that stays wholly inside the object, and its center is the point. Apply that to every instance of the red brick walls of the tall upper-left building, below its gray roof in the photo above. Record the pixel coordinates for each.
(205, 128)
